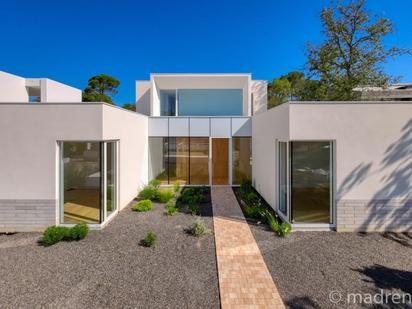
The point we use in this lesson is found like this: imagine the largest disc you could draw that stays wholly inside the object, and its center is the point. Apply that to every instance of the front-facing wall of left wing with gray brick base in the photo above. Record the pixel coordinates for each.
(29, 158)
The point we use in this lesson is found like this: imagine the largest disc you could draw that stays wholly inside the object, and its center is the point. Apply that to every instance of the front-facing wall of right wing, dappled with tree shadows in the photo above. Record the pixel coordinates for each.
(373, 168)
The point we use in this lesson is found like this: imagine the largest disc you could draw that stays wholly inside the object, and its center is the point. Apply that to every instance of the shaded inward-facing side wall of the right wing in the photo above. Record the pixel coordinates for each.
(266, 129)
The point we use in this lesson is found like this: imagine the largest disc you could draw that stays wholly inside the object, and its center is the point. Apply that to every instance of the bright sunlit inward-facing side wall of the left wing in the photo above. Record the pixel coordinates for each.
(131, 129)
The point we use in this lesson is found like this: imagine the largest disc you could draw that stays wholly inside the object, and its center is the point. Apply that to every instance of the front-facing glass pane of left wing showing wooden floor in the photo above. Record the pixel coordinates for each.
(81, 182)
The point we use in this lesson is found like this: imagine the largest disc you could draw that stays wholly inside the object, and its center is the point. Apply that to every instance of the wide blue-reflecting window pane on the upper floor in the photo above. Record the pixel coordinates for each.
(210, 102)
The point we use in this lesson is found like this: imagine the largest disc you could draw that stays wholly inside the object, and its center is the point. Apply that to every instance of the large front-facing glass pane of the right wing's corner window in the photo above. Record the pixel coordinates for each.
(311, 185)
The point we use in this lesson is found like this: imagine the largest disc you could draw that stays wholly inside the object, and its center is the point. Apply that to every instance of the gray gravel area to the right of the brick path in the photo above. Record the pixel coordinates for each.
(308, 266)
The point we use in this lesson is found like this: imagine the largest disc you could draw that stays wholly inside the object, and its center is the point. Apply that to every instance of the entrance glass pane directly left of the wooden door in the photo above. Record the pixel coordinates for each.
(199, 160)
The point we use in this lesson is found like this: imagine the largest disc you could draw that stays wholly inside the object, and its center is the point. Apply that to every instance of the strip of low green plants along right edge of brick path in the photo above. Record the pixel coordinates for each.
(254, 207)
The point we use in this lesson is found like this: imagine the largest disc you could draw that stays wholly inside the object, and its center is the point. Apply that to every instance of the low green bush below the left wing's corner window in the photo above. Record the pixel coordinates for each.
(54, 234)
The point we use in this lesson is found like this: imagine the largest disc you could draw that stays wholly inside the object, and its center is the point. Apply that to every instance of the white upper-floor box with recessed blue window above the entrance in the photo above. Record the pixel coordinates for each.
(192, 95)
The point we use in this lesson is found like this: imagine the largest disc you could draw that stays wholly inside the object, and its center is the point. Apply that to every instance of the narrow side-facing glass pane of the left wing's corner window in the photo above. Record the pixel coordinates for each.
(111, 167)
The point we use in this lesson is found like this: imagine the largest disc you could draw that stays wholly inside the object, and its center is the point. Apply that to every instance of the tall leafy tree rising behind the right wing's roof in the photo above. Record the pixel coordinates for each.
(353, 52)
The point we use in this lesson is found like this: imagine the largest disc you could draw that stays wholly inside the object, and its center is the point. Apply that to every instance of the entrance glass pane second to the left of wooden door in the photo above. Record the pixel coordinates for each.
(178, 160)
